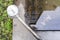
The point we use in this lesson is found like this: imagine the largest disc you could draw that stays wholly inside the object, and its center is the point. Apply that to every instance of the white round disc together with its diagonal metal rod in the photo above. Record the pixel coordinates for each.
(12, 10)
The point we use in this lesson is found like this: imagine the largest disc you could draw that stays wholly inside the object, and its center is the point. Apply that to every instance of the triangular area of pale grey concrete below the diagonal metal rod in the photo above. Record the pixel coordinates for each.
(20, 32)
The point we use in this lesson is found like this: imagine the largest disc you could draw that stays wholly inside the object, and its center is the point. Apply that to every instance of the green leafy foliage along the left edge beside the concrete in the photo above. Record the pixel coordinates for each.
(5, 22)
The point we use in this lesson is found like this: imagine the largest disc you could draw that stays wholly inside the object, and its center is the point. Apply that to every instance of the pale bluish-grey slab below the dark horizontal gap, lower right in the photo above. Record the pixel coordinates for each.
(49, 35)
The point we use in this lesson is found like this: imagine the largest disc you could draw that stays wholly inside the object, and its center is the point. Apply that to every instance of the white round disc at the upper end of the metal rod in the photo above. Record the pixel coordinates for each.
(12, 10)
